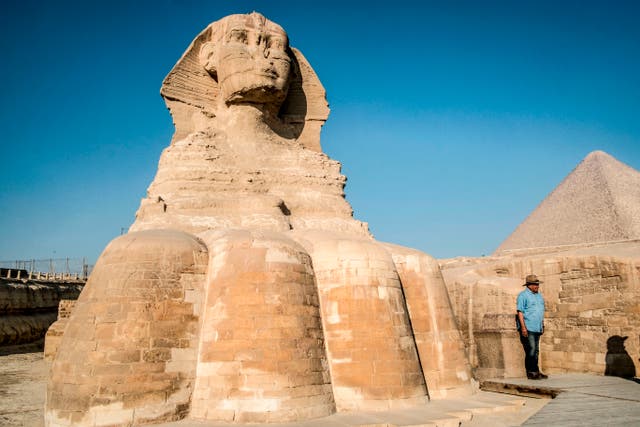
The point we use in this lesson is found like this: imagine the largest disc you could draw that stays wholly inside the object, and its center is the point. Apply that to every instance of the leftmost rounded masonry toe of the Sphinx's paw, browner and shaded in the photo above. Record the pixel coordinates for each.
(115, 355)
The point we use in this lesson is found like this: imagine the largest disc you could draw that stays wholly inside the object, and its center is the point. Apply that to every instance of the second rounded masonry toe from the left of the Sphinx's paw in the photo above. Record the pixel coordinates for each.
(262, 341)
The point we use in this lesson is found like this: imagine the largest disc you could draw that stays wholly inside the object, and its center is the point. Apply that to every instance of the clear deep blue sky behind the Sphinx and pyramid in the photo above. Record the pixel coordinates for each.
(452, 119)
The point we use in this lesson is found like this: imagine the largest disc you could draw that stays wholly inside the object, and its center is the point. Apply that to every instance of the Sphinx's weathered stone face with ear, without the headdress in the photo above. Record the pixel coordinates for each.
(249, 57)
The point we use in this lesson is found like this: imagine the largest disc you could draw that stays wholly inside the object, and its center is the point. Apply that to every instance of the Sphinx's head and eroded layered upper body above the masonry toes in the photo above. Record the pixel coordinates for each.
(246, 153)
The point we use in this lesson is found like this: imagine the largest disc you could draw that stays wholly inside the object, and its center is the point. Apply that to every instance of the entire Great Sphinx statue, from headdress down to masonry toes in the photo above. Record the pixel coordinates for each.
(245, 290)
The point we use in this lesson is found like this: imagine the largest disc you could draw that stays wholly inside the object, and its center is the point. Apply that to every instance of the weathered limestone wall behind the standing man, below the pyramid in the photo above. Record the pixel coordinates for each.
(592, 296)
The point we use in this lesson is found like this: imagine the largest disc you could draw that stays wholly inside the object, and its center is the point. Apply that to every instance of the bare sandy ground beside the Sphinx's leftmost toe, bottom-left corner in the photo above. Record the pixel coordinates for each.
(22, 388)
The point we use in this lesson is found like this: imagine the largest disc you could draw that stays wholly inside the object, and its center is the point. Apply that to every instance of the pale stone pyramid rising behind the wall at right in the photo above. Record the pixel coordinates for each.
(599, 201)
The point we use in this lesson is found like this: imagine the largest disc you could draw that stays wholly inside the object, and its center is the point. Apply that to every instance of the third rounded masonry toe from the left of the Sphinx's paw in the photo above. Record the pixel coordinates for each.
(370, 346)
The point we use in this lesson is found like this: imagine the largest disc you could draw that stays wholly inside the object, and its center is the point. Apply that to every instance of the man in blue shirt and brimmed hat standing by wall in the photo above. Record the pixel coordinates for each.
(530, 306)
